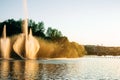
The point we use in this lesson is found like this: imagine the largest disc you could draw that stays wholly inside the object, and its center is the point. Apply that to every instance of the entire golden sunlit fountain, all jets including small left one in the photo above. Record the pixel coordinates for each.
(26, 46)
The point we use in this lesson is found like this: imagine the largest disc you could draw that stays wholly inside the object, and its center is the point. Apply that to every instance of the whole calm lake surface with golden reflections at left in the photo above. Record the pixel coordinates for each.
(86, 68)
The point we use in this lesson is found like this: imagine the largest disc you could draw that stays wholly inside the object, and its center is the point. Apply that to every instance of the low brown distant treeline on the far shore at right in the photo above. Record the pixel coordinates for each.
(102, 50)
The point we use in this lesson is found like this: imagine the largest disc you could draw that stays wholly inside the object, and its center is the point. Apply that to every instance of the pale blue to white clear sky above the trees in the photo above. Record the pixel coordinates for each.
(93, 22)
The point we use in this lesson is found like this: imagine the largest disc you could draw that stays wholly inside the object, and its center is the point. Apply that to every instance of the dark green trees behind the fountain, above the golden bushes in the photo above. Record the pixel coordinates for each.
(15, 27)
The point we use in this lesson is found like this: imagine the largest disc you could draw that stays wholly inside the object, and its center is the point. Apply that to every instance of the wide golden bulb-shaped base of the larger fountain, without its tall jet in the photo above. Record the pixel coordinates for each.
(26, 46)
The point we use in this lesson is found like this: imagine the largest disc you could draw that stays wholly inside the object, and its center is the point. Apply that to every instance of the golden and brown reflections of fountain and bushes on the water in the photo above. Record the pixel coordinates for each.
(35, 70)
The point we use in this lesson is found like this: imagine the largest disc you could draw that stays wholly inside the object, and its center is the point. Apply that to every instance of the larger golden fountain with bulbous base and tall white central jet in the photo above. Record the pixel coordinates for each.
(26, 45)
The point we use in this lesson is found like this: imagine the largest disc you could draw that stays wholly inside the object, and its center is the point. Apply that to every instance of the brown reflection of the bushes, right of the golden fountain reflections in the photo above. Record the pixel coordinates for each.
(60, 71)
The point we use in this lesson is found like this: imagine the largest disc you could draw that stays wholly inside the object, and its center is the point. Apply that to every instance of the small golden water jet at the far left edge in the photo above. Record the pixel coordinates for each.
(5, 46)
